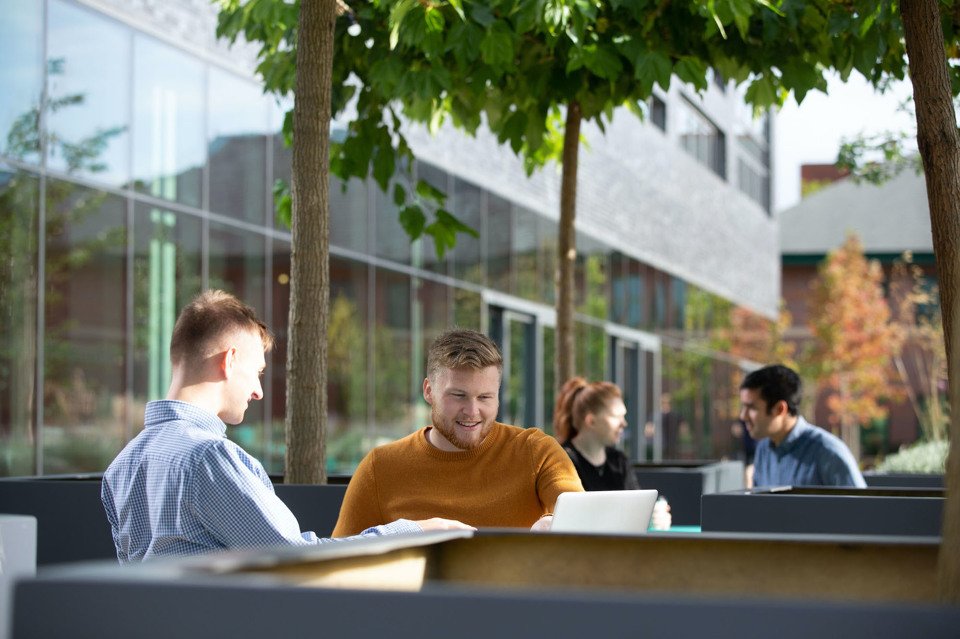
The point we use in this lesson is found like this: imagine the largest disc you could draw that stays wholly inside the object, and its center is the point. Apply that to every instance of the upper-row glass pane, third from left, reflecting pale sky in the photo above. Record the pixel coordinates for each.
(168, 143)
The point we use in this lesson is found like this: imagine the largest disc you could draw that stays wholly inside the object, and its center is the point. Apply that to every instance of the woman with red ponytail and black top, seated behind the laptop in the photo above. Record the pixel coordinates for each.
(588, 421)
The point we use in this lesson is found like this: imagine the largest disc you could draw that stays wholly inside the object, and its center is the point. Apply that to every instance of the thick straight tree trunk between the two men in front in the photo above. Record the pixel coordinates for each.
(309, 266)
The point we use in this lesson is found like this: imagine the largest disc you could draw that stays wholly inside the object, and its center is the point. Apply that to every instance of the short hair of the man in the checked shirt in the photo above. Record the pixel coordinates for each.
(210, 316)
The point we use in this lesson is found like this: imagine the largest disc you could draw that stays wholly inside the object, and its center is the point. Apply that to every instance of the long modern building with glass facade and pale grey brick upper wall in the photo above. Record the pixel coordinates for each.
(137, 160)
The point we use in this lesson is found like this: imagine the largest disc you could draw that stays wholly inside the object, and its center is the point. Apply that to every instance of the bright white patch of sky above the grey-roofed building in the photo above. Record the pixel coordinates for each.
(812, 132)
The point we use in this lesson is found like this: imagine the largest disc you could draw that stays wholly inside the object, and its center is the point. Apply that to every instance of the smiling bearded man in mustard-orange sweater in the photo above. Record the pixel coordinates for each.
(465, 466)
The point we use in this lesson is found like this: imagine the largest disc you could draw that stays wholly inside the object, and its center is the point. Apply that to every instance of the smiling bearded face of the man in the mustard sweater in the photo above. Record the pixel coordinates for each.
(464, 403)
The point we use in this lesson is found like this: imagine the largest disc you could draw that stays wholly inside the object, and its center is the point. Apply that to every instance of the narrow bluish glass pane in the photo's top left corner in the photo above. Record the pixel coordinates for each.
(21, 76)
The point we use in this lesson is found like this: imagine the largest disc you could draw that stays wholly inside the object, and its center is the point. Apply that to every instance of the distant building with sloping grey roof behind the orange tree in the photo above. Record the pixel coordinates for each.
(889, 220)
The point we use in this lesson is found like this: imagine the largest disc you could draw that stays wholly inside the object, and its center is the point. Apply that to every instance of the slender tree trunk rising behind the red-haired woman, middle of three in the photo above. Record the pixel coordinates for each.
(567, 248)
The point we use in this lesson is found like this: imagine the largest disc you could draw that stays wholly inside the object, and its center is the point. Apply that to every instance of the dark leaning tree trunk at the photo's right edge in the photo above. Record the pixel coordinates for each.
(940, 150)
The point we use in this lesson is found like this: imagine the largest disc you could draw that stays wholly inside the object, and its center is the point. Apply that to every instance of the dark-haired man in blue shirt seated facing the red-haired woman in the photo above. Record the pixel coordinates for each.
(791, 451)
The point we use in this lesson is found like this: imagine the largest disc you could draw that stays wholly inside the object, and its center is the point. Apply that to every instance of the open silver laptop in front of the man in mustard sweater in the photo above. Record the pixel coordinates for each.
(604, 511)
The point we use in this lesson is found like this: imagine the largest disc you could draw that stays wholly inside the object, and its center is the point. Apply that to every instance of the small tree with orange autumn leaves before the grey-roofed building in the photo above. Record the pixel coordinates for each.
(854, 339)
